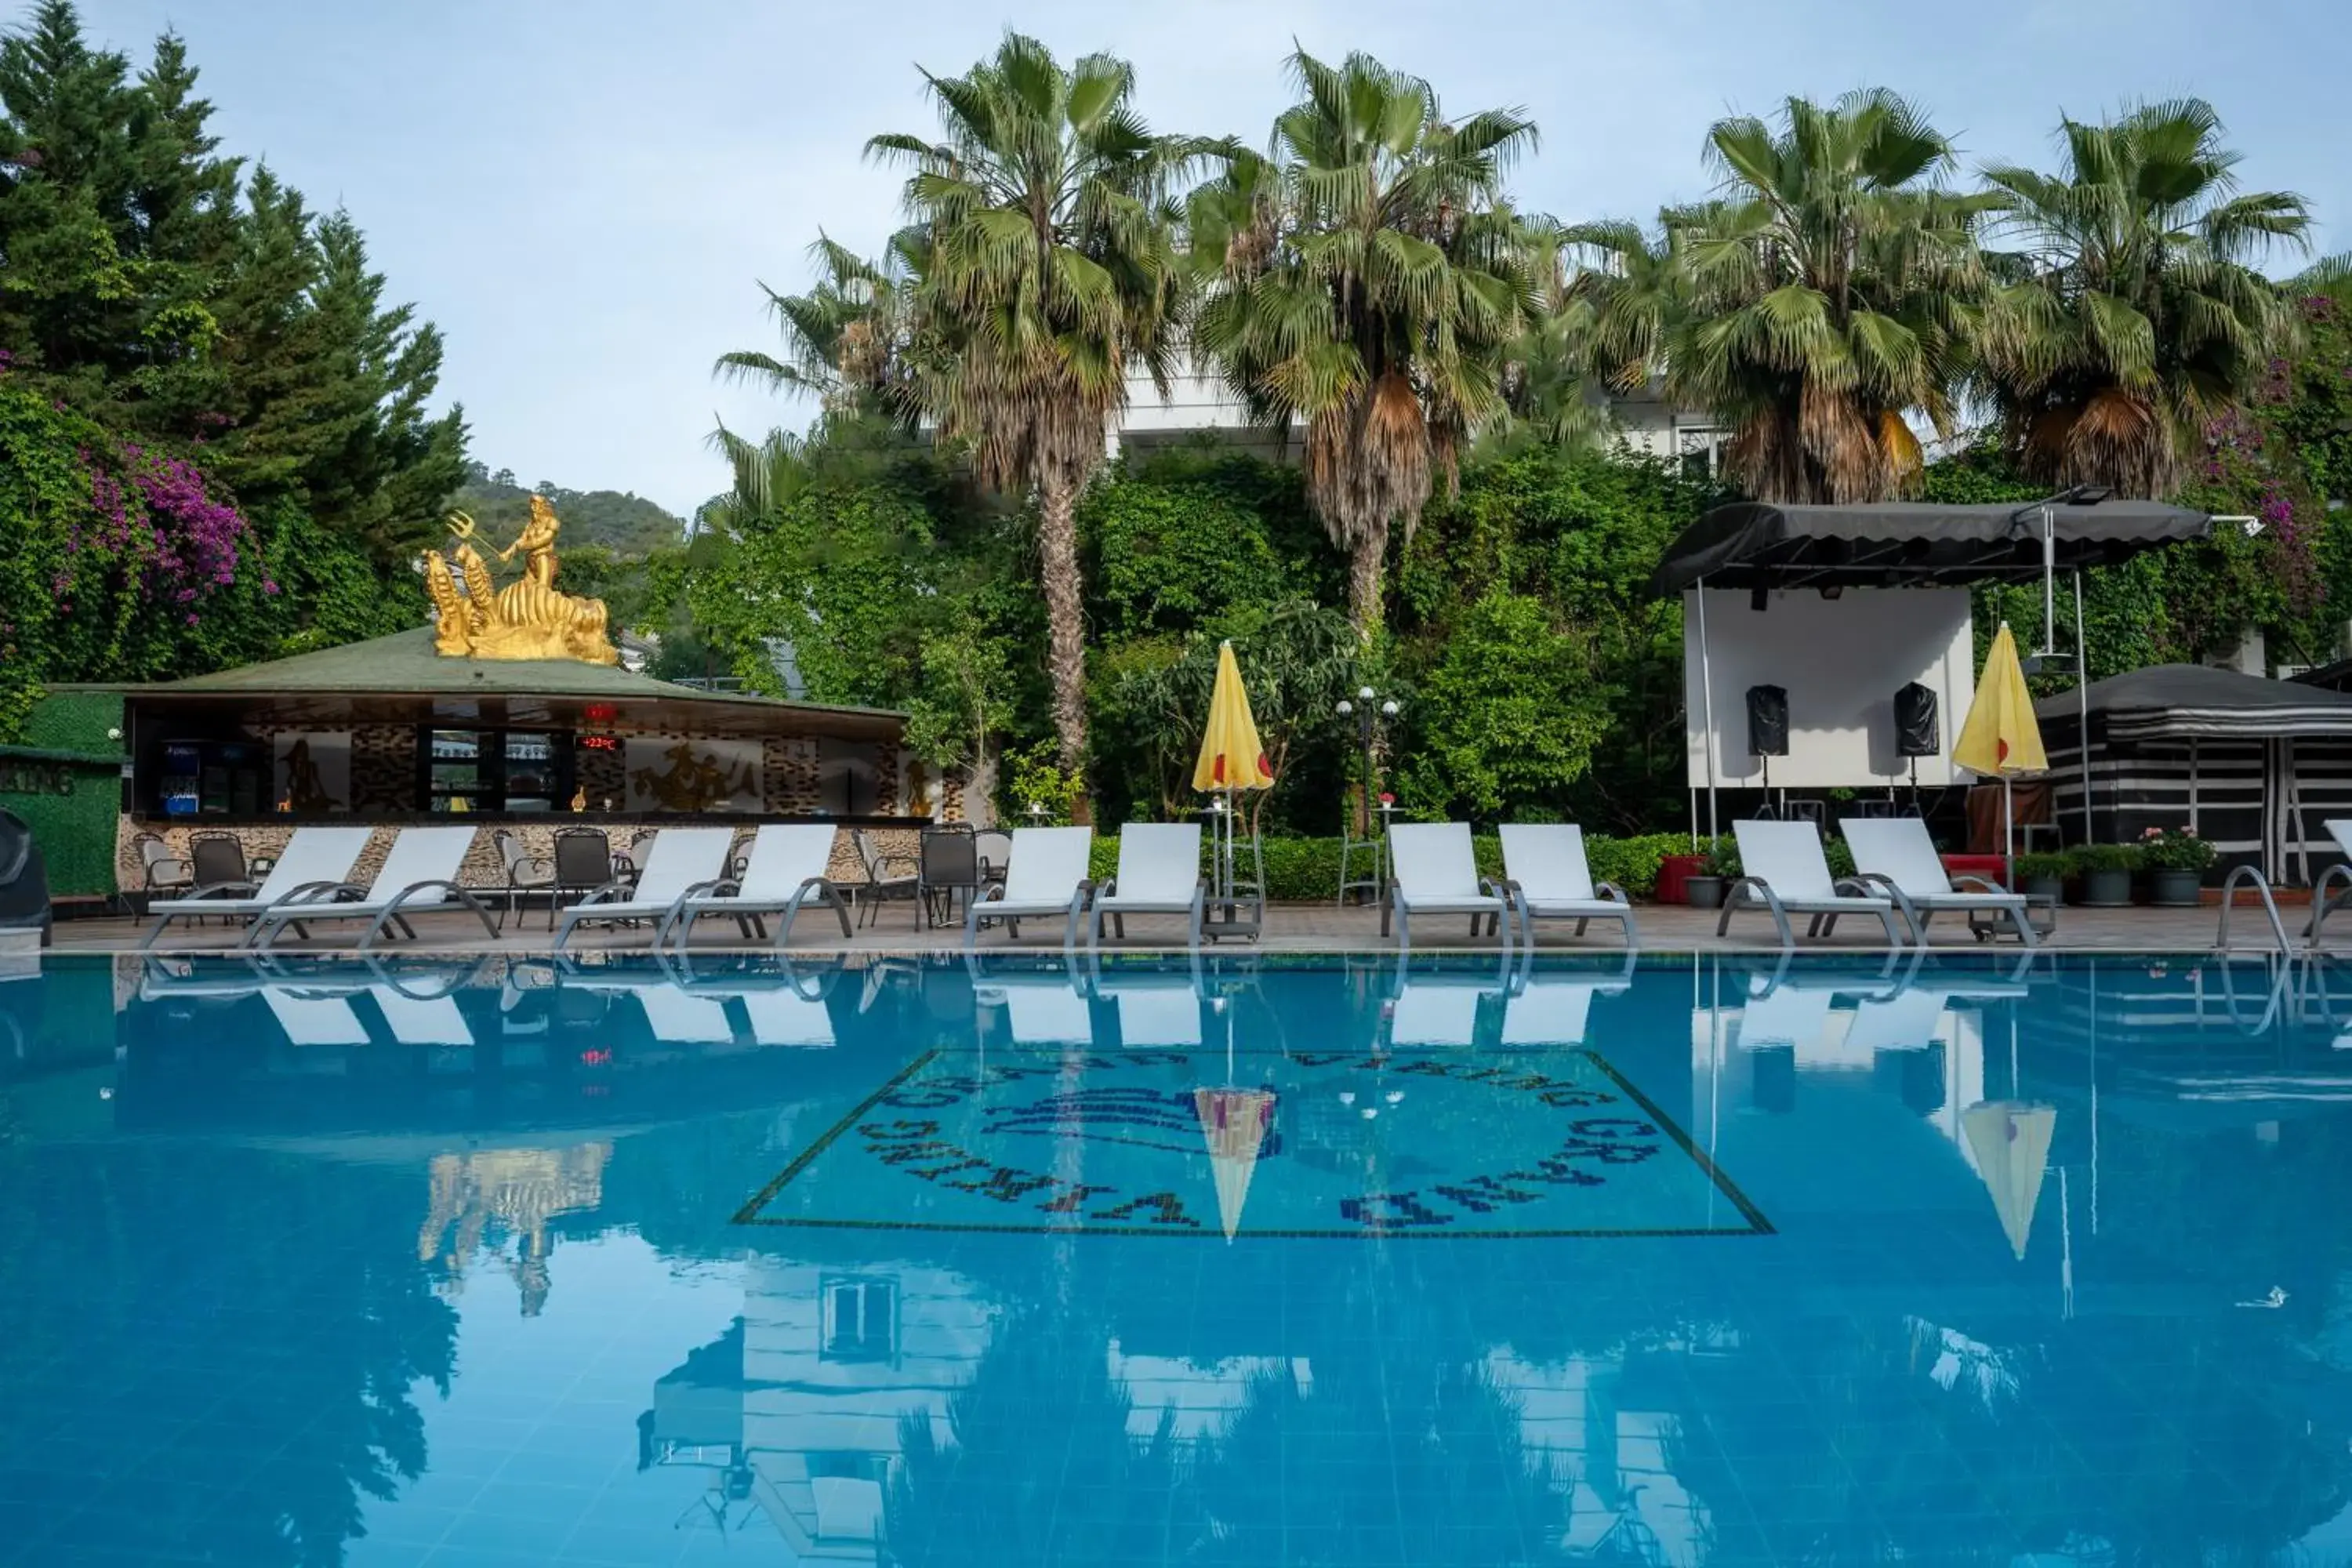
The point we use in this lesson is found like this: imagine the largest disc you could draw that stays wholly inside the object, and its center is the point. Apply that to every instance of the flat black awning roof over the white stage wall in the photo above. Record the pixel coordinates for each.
(1911, 544)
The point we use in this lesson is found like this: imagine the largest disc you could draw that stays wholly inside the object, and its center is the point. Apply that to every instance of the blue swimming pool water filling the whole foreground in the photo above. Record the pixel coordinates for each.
(1699, 1264)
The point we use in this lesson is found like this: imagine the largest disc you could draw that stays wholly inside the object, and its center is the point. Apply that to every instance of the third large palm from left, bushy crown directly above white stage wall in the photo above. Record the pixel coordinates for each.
(1829, 293)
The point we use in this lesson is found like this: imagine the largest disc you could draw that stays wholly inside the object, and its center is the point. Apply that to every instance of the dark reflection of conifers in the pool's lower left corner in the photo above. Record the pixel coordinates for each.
(274, 1292)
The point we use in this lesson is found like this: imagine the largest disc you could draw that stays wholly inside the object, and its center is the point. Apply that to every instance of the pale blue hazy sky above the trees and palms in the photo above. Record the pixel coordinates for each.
(584, 196)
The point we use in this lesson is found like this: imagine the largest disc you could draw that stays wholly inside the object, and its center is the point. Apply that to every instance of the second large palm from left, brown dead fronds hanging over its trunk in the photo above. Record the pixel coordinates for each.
(1368, 281)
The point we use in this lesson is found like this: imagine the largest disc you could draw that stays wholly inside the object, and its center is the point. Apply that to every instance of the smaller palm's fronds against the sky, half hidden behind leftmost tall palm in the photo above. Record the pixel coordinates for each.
(846, 340)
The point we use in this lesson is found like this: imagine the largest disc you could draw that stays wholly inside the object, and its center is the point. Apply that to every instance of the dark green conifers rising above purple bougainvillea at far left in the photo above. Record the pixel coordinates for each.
(154, 286)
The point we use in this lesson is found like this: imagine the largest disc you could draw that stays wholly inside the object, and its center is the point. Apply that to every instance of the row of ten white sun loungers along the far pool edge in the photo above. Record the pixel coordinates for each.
(688, 878)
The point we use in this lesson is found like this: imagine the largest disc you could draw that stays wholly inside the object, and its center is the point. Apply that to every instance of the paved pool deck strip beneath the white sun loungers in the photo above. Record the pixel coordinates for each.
(1295, 927)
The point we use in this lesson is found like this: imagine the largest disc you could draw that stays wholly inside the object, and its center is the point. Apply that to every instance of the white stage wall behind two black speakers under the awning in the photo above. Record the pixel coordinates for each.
(1840, 662)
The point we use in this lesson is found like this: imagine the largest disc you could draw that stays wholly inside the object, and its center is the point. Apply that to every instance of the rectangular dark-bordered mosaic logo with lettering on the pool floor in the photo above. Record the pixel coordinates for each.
(1175, 1144)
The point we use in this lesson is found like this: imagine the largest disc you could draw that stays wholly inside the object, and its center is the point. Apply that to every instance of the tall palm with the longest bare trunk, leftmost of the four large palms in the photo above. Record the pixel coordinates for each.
(1048, 225)
